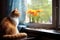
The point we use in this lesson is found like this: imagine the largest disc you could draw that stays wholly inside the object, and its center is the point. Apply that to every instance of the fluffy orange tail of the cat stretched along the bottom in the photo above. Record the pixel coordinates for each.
(15, 36)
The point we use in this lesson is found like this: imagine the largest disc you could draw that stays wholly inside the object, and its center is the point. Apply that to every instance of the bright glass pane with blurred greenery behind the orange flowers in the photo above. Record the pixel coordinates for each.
(39, 11)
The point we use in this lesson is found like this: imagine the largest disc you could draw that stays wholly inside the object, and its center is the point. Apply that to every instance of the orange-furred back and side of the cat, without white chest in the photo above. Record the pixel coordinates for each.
(7, 26)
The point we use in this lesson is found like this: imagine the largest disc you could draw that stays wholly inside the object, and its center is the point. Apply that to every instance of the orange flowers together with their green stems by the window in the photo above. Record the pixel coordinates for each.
(34, 15)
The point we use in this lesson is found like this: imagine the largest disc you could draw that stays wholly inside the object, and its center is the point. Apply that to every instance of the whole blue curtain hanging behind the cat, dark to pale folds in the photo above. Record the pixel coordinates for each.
(19, 4)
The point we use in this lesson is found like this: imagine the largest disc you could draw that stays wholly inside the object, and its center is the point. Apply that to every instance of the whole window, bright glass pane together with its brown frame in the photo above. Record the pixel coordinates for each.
(40, 13)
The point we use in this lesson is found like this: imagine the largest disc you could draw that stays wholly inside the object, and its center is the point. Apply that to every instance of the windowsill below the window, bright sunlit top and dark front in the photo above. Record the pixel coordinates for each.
(42, 33)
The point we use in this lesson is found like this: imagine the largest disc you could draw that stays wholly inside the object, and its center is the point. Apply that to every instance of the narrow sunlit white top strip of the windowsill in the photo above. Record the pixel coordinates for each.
(44, 30)
